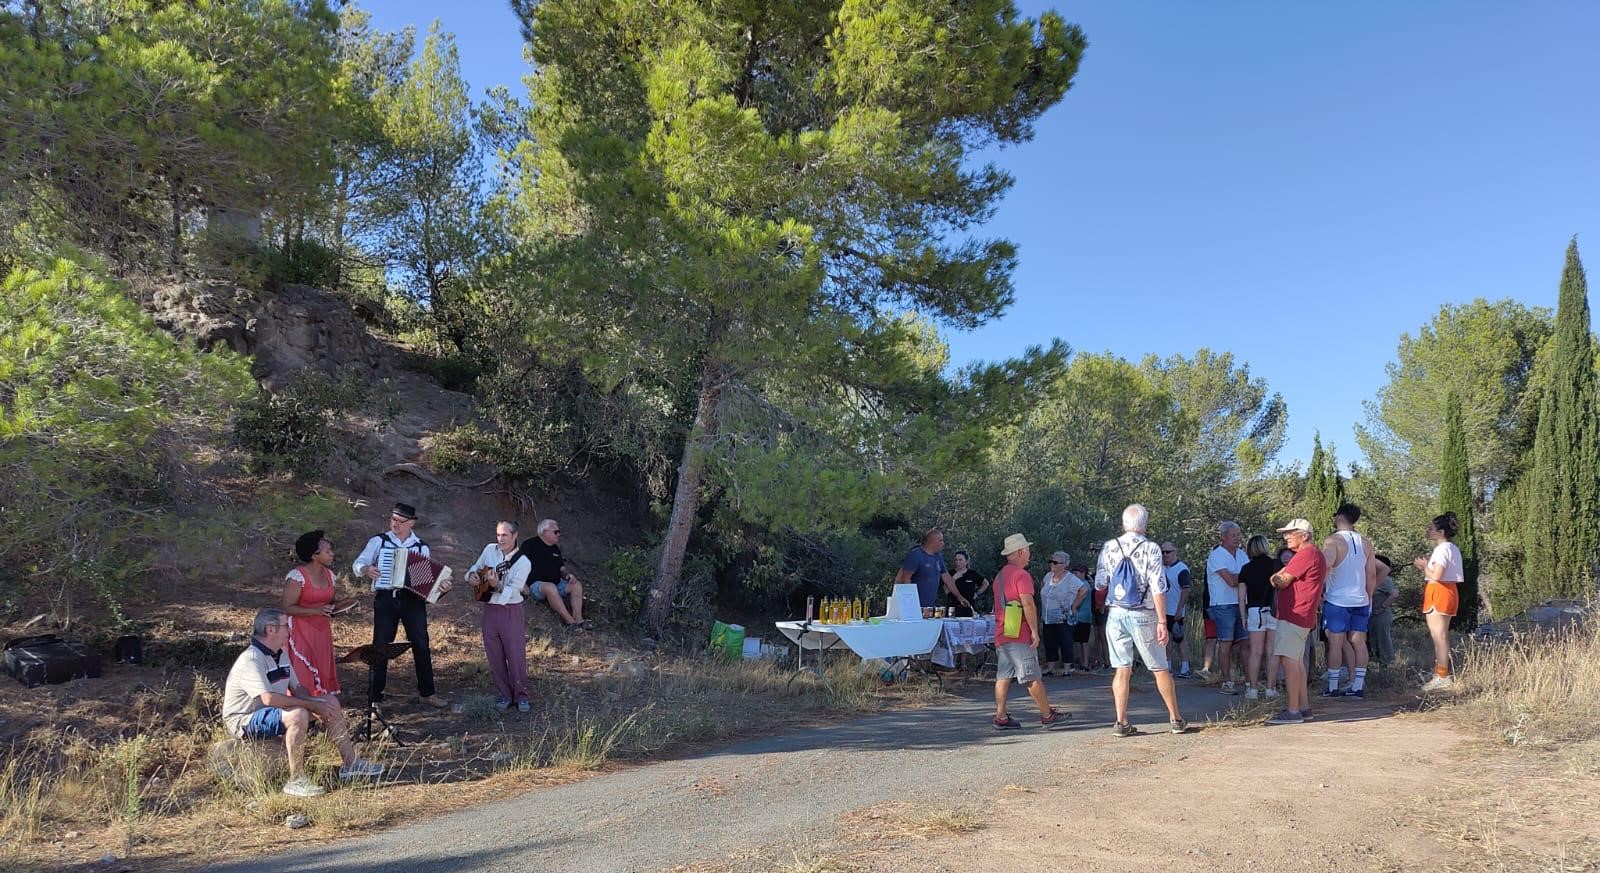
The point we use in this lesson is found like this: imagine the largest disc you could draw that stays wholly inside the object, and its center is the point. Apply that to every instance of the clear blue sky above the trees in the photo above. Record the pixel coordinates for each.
(1295, 183)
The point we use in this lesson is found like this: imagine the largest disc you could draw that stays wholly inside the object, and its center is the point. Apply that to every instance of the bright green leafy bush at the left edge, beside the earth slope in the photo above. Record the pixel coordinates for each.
(100, 417)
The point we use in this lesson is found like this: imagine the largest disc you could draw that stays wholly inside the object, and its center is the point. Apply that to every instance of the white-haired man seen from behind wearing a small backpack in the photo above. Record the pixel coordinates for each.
(1130, 570)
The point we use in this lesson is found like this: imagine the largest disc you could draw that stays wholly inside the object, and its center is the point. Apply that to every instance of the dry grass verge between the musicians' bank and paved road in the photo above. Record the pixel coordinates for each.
(154, 794)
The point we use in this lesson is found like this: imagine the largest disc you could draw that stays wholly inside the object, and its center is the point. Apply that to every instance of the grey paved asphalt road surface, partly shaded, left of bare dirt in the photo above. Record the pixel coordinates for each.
(753, 794)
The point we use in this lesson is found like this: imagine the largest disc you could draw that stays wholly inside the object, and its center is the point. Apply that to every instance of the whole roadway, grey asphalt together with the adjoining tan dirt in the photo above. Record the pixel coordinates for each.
(839, 792)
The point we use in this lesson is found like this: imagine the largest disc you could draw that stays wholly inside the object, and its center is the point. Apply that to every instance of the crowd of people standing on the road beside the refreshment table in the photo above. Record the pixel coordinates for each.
(1265, 613)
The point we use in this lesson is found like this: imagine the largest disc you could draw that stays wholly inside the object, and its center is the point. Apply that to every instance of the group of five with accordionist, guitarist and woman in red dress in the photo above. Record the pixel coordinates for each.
(287, 679)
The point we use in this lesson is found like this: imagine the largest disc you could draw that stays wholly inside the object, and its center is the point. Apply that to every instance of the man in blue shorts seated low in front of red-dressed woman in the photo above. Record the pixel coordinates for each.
(262, 701)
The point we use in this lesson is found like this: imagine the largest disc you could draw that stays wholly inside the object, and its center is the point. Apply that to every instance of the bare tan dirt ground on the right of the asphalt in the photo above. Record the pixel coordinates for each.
(1383, 794)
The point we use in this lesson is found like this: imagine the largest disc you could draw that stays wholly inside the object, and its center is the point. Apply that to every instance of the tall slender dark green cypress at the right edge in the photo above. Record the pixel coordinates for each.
(1562, 541)
